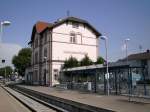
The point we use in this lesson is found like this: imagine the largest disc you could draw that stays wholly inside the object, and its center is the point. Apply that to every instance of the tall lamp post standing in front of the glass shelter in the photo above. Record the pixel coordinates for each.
(107, 73)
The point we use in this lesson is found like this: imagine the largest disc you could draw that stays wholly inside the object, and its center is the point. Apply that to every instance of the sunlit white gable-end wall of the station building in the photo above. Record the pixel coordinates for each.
(62, 48)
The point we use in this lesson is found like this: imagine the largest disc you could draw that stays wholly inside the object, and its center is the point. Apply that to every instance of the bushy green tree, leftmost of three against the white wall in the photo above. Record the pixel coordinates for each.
(71, 62)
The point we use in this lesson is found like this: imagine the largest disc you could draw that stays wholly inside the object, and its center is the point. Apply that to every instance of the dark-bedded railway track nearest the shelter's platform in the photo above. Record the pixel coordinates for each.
(56, 103)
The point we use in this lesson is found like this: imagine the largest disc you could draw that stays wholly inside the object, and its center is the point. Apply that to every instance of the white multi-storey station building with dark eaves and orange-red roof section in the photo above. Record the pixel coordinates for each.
(53, 43)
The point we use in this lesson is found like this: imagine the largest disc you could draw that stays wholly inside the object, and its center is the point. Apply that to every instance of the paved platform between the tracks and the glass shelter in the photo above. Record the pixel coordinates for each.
(115, 103)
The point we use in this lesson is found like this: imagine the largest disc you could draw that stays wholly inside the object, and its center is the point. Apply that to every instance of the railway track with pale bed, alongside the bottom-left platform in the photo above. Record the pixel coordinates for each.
(32, 103)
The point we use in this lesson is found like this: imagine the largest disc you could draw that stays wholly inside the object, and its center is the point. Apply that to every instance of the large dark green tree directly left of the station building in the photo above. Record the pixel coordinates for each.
(22, 60)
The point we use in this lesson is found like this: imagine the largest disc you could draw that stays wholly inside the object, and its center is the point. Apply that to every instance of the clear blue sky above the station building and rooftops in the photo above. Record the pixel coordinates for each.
(117, 19)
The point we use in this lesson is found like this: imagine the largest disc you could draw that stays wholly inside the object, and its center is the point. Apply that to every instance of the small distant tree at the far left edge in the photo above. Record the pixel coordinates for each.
(6, 69)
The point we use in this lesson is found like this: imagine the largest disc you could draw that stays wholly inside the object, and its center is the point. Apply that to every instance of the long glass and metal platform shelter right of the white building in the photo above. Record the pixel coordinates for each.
(125, 80)
